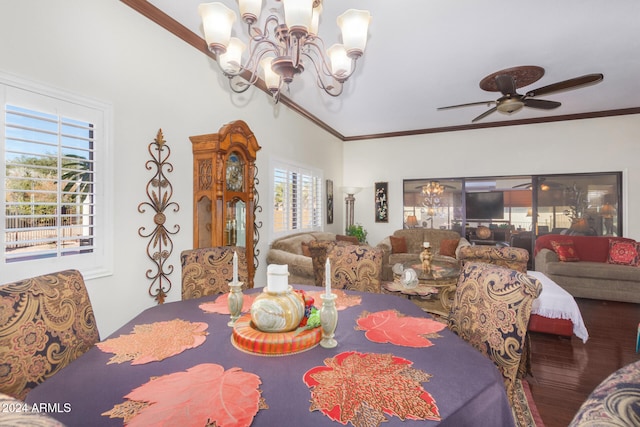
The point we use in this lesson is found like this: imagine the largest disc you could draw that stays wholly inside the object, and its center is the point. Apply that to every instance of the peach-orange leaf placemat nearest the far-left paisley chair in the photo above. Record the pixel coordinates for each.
(155, 341)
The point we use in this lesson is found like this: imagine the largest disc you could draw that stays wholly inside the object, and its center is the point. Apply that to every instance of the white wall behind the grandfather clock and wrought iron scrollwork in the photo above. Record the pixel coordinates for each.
(103, 49)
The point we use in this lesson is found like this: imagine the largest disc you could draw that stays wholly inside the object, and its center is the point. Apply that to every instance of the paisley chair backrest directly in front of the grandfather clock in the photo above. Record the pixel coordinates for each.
(208, 271)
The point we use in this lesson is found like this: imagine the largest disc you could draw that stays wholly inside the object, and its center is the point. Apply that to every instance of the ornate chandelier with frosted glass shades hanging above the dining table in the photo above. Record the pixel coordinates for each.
(282, 48)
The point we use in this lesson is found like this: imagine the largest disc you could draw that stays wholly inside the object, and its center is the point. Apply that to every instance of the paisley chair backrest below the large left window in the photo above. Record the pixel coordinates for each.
(46, 322)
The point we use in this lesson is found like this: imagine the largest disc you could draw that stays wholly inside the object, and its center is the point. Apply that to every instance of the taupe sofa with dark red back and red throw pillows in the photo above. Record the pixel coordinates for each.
(595, 267)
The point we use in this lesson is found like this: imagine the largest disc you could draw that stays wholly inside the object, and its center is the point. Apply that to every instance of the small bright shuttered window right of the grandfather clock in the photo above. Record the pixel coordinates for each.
(297, 198)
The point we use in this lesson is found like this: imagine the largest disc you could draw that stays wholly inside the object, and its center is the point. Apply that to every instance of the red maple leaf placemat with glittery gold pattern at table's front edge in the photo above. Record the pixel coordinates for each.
(362, 387)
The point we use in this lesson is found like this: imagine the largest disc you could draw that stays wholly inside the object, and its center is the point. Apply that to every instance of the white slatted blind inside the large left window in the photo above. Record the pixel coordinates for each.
(49, 185)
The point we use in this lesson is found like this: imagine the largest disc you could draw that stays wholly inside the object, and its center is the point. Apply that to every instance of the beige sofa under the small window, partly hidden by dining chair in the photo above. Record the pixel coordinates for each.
(289, 250)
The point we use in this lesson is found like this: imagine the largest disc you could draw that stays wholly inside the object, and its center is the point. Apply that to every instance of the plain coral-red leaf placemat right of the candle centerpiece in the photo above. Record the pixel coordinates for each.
(395, 328)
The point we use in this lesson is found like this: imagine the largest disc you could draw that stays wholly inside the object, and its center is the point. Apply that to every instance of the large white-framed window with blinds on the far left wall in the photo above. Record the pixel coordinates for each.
(54, 162)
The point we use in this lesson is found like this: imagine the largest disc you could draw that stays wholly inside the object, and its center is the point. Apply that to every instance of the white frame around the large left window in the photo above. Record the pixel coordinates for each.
(40, 97)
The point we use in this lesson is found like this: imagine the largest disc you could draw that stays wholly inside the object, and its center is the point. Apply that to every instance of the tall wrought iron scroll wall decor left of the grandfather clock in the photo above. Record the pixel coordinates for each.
(159, 190)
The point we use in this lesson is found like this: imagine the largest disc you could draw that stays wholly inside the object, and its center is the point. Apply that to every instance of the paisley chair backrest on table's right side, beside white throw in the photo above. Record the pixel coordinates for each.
(491, 310)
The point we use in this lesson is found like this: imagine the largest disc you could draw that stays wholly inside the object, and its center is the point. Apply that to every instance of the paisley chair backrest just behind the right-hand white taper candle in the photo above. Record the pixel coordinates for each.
(356, 267)
